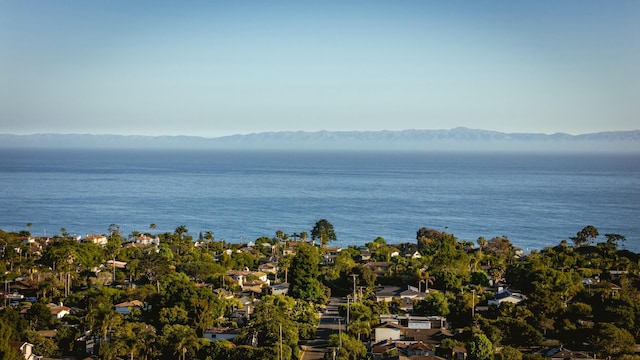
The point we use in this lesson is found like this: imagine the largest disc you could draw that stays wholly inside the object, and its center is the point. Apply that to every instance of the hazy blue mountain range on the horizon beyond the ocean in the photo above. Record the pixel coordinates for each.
(458, 139)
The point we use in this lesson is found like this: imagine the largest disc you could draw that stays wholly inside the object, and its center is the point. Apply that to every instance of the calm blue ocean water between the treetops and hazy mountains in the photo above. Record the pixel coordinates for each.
(536, 200)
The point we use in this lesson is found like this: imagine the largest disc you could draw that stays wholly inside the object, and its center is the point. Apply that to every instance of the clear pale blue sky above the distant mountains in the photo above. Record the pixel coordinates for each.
(217, 68)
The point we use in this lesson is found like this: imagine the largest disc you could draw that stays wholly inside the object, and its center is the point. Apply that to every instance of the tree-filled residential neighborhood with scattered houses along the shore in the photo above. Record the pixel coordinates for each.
(165, 296)
